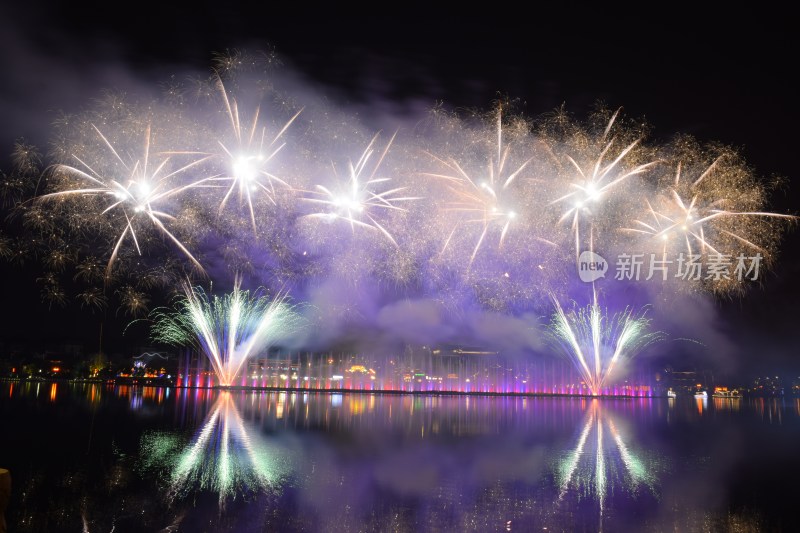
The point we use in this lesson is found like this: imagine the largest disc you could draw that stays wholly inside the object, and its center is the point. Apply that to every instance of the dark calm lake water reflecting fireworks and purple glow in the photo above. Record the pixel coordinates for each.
(100, 458)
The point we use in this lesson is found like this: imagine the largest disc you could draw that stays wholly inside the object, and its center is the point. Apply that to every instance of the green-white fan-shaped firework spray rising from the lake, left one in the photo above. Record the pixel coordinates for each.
(228, 329)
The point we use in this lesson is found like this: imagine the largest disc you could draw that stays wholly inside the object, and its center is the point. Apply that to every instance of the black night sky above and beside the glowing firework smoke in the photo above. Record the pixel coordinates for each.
(721, 76)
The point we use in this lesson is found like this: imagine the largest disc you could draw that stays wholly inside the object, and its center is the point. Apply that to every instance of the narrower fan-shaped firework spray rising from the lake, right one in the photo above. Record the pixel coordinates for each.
(596, 342)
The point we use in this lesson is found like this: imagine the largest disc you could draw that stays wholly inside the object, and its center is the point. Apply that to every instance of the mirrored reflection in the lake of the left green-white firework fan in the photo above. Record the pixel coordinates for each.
(227, 455)
